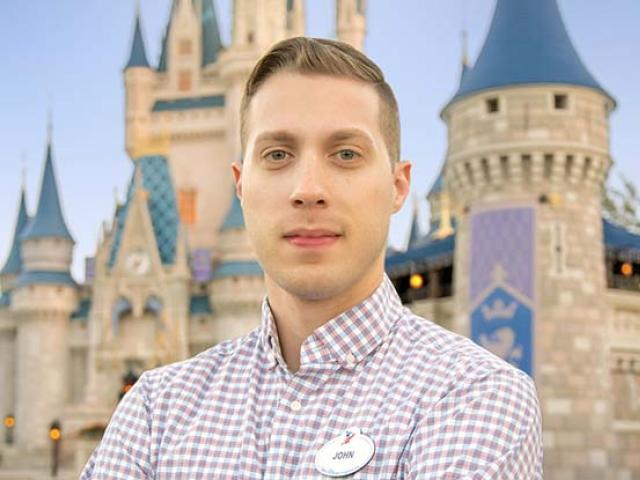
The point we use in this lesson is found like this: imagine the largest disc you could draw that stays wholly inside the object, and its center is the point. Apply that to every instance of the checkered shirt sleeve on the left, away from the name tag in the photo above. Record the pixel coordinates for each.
(124, 452)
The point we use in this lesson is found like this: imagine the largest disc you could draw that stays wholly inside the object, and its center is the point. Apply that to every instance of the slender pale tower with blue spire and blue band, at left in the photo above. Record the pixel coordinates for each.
(42, 301)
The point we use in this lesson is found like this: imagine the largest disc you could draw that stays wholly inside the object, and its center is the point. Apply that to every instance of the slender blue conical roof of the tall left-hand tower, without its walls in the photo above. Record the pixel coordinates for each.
(48, 220)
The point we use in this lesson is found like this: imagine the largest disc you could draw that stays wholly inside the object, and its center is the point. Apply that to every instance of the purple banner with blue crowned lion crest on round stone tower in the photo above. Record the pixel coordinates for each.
(502, 284)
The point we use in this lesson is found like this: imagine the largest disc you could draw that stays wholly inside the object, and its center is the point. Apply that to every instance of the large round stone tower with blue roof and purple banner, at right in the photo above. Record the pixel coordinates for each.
(528, 155)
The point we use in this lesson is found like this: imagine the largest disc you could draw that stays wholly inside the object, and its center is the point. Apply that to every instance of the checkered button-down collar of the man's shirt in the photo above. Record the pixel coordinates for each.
(346, 339)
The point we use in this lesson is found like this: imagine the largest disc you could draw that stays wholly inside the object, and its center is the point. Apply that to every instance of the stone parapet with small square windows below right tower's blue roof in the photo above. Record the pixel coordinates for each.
(529, 139)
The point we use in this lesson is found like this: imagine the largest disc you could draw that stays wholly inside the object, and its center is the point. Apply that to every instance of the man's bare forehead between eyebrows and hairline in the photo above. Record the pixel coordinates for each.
(313, 104)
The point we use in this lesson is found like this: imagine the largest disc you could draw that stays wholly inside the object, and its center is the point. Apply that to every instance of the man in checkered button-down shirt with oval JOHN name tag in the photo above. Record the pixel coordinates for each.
(339, 379)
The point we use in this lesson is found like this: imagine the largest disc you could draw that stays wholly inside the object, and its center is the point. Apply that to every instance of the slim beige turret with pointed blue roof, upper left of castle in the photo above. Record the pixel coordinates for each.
(138, 79)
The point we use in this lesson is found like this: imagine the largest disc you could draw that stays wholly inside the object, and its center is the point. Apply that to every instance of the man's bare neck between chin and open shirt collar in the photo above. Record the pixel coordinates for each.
(297, 318)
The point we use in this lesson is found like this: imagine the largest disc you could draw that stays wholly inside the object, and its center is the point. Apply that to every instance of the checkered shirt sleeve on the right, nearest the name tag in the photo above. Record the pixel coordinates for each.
(488, 428)
